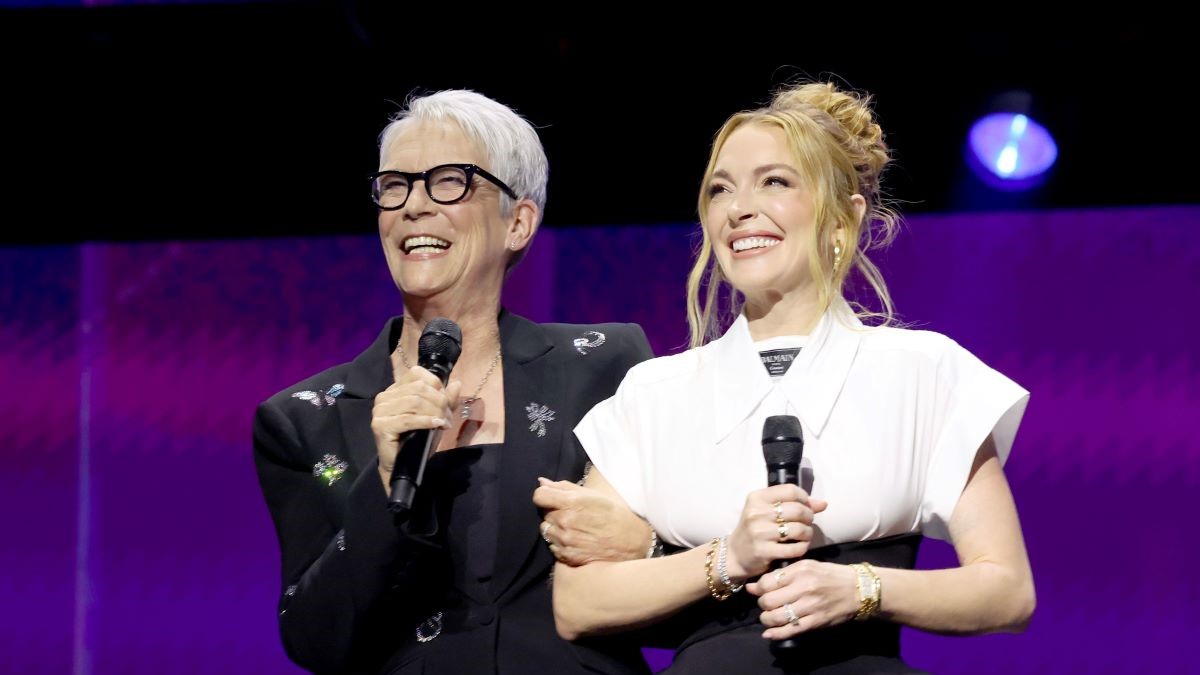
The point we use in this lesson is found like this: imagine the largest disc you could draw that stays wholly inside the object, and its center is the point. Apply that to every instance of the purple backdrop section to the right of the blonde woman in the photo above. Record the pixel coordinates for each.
(1095, 312)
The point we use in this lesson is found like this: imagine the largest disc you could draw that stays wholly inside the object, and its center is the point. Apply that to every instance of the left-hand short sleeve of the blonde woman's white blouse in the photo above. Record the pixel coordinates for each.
(608, 434)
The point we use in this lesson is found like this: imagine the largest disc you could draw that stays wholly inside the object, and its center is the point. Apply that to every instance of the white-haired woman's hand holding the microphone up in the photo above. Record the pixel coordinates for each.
(416, 401)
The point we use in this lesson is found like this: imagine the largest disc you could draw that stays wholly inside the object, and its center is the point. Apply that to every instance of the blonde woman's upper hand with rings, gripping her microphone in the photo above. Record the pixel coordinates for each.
(757, 541)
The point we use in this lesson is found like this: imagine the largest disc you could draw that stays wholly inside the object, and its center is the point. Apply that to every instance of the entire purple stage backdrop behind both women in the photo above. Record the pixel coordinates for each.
(142, 545)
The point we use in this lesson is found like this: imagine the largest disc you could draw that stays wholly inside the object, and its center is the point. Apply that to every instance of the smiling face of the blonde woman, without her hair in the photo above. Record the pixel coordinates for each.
(760, 213)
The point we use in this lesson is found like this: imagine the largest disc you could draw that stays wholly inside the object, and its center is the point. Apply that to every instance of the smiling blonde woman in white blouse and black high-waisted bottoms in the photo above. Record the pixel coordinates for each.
(905, 432)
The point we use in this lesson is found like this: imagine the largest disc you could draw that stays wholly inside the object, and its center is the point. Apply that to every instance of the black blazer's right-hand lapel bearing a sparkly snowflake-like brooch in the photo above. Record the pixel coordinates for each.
(533, 437)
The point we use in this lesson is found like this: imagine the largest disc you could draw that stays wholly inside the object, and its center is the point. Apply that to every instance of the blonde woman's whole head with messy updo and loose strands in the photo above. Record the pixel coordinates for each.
(790, 205)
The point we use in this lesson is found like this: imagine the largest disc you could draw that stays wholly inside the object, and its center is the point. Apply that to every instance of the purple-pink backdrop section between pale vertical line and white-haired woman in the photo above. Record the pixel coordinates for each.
(196, 336)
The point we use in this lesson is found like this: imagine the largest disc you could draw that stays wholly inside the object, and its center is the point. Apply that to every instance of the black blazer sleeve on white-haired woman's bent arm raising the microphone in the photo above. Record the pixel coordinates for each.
(340, 588)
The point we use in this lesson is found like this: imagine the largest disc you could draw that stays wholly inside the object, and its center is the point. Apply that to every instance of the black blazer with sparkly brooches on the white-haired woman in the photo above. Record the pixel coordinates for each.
(356, 586)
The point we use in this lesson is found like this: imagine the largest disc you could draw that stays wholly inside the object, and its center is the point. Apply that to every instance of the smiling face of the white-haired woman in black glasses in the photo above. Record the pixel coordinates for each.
(443, 249)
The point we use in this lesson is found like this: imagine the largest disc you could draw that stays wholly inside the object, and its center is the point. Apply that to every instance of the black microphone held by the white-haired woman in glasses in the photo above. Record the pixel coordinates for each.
(437, 351)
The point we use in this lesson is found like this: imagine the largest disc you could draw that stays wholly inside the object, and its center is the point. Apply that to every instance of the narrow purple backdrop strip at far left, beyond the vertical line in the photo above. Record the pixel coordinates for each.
(40, 339)
